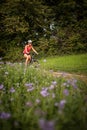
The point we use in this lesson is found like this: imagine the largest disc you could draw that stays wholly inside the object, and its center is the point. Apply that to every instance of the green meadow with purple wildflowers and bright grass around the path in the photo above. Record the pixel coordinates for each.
(33, 99)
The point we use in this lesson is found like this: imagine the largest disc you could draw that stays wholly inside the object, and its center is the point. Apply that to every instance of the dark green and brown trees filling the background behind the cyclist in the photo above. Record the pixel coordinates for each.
(56, 27)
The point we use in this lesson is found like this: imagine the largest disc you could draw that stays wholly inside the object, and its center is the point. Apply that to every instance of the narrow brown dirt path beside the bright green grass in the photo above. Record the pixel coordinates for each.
(69, 76)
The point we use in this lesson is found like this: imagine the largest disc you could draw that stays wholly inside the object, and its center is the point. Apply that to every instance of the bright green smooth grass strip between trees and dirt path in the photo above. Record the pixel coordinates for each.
(72, 63)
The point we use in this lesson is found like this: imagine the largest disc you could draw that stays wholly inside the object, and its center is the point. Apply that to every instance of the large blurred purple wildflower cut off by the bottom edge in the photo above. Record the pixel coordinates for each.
(46, 125)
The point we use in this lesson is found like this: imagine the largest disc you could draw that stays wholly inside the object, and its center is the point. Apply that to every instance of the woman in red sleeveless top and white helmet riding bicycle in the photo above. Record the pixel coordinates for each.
(27, 50)
